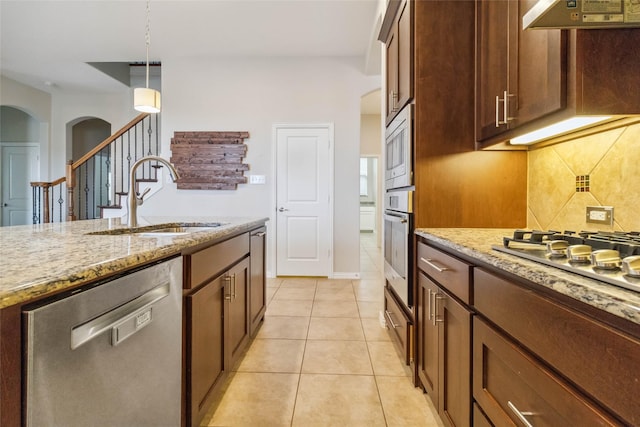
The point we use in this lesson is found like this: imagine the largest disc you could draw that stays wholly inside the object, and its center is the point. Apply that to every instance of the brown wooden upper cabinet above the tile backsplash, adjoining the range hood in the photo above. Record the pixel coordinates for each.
(529, 79)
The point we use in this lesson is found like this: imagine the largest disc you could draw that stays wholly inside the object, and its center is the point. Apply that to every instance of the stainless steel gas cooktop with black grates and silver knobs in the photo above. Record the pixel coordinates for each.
(611, 257)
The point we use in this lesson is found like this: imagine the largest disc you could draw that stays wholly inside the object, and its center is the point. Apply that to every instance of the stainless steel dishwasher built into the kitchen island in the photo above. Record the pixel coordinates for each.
(108, 355)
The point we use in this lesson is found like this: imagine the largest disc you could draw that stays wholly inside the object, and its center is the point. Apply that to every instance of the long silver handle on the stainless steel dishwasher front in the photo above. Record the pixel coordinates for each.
(123, 321)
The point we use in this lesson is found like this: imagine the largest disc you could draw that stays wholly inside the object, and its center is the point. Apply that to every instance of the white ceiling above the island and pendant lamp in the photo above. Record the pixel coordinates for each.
(46, 44)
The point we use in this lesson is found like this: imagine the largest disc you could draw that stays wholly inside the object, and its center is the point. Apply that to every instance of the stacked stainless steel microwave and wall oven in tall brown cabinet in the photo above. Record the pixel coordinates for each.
(398, 204)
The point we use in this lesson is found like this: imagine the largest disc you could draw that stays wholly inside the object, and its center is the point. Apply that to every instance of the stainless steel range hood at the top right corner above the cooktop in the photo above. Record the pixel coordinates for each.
(566, 14)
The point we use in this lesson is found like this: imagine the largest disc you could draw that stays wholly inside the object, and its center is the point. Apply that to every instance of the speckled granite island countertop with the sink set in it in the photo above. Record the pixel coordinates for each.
(40, 260)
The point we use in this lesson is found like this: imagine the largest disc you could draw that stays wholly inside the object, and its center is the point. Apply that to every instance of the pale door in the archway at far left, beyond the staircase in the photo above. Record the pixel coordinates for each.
(20, 166)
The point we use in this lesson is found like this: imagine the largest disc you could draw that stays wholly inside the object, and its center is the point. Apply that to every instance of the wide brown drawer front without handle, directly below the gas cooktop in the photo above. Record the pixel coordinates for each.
(600, 360)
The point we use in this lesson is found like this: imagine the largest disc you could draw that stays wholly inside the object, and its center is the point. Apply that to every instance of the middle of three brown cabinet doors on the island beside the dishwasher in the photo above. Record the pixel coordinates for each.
(238, 304)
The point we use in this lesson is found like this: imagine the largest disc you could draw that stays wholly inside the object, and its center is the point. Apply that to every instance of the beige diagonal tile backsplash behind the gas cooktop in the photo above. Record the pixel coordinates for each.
(612, 161)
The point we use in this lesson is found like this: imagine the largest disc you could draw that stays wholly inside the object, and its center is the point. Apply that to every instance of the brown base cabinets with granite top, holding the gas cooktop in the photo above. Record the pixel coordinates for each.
(540, 344)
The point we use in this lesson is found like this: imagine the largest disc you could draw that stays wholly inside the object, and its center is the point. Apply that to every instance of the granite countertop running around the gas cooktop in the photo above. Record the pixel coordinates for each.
(476, 243)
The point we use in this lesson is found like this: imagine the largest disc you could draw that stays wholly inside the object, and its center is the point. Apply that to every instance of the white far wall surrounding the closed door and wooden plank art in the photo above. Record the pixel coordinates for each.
(252, 95)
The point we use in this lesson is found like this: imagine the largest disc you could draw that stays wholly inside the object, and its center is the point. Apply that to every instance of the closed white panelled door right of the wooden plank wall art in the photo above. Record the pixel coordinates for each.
(303, 207)
